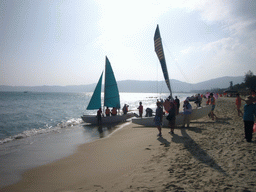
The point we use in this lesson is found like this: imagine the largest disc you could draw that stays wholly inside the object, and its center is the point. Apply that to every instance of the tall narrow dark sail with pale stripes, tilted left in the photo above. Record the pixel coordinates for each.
(160, 53)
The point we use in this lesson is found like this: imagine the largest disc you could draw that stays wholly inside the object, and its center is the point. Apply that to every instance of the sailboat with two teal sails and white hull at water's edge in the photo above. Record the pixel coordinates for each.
(111, 99)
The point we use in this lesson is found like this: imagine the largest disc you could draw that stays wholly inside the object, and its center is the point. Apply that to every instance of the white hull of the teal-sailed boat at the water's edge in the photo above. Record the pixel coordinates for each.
(92, 119)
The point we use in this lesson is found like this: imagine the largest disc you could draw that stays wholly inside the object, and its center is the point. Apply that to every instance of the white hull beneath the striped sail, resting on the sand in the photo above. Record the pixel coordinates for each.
(196, 114)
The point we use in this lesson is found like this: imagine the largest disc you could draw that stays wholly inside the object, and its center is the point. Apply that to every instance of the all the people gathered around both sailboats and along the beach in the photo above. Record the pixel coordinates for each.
(171, 107)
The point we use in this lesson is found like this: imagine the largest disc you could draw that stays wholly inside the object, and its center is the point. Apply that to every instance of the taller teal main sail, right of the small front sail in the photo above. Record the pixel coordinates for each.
(111, 93)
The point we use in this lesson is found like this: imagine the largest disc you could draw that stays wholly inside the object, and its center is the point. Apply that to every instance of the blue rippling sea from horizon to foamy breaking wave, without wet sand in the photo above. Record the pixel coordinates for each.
(27, 114)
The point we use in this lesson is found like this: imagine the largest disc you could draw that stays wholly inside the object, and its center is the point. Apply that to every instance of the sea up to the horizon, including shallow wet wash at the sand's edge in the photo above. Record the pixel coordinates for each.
(37, 128)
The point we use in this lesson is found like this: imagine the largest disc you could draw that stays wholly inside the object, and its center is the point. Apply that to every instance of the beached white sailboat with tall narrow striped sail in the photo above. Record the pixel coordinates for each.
(196, 113)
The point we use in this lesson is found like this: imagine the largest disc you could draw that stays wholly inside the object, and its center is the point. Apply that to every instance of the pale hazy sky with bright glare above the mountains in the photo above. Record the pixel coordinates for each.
(65, 42)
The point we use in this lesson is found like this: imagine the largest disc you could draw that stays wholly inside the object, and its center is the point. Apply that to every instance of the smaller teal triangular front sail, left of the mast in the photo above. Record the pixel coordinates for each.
(95, 102)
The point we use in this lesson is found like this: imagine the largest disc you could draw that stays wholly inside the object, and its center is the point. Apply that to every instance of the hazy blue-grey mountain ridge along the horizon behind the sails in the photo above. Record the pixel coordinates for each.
(136, 86)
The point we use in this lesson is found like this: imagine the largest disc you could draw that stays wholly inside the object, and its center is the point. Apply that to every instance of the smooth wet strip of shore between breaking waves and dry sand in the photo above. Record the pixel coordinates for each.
(22, 155)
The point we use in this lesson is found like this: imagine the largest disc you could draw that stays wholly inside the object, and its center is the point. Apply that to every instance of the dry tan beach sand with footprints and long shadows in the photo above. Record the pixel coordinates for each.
(211, 155)
